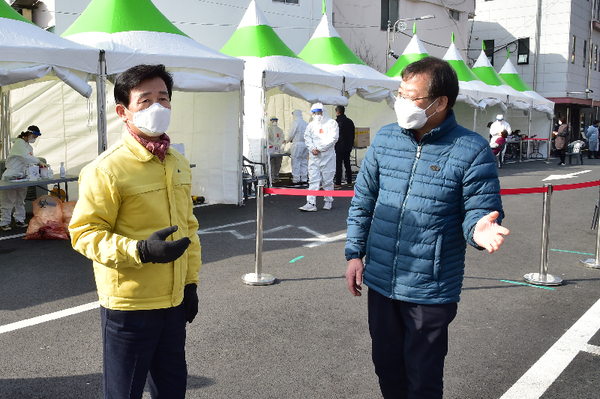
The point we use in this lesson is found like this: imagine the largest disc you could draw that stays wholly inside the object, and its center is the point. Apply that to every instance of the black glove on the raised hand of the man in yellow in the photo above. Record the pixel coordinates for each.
(156, 250)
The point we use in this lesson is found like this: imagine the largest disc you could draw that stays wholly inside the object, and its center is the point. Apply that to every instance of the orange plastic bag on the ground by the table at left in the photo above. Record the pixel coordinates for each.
(46, 223)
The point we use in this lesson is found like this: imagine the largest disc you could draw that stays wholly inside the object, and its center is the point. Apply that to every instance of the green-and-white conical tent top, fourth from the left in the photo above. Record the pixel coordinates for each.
(327, 47)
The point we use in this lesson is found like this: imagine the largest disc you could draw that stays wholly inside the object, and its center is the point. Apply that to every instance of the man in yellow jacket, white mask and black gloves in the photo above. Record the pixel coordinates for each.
(134, 219)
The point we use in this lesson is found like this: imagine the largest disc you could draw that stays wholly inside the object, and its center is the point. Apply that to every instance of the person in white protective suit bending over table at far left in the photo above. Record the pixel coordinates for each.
(17, 165)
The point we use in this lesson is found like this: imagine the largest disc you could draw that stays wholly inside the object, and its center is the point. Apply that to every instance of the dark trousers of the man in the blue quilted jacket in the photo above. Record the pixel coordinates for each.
(410, 342)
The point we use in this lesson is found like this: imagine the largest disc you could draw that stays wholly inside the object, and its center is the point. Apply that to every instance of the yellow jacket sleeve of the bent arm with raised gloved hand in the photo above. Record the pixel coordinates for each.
(94, 220)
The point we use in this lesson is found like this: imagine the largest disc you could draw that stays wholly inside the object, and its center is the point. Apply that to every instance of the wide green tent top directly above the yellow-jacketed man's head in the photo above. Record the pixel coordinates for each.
(113, 16)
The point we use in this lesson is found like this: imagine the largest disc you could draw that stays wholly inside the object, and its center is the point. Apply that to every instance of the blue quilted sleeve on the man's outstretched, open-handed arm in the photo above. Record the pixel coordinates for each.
(481, 193)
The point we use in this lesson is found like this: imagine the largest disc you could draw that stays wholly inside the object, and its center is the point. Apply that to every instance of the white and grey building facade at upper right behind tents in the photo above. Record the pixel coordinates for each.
(554, 46)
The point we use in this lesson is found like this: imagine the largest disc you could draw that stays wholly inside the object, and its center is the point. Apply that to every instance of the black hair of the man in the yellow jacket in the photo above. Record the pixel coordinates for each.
(132, 77)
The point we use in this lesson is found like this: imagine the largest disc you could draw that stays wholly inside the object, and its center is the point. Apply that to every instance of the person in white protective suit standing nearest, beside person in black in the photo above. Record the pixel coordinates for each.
(320, 137)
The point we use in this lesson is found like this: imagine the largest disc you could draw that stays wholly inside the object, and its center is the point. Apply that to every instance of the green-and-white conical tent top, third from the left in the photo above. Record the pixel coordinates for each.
(254, 37)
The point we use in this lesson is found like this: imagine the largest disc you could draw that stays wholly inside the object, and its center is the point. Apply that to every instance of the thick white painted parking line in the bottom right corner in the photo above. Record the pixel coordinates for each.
(546, 370)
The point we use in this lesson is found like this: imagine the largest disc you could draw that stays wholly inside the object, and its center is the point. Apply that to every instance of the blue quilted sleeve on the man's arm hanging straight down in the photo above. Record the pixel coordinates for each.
(360, 215)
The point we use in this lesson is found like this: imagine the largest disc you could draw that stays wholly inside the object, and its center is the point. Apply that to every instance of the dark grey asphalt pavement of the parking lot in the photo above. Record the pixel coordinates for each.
(306, 336)
